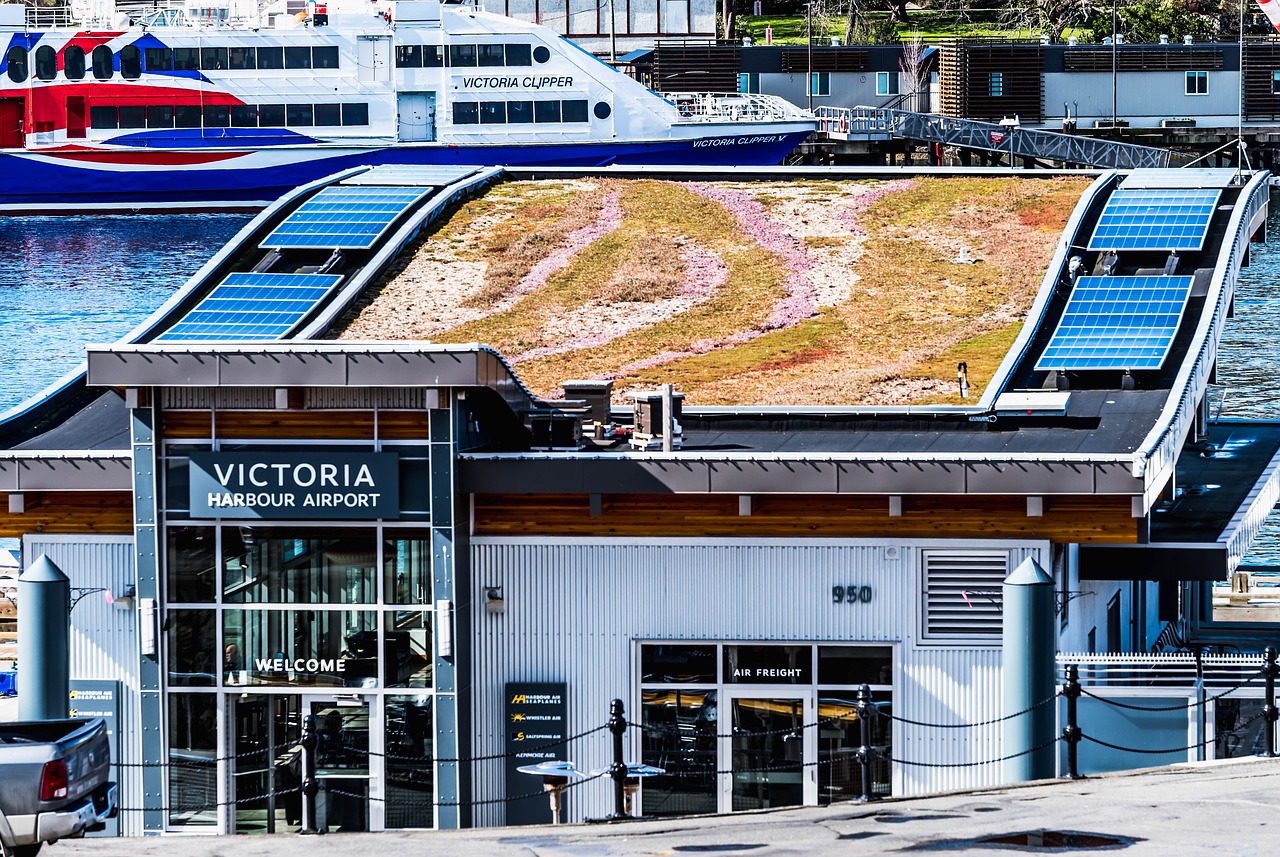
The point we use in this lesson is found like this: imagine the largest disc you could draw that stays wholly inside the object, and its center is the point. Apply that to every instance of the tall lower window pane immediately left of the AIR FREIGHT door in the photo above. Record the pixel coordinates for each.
(680, 737)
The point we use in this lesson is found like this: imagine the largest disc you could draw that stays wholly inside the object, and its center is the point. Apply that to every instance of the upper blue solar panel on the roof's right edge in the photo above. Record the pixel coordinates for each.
(1159, 219)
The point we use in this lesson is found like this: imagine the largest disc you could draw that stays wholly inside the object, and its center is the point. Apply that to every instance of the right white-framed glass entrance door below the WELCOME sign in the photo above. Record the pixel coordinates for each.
(344, 764)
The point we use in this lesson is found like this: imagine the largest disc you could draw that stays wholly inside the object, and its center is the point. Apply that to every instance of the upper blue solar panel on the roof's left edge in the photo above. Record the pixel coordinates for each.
(342, 217)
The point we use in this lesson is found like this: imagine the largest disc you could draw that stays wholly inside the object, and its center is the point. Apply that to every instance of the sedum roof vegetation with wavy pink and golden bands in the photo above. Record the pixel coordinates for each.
(738, 294)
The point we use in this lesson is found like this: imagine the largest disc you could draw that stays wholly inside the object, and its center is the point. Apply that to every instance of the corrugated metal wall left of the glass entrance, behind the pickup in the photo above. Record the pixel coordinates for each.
(104, 639)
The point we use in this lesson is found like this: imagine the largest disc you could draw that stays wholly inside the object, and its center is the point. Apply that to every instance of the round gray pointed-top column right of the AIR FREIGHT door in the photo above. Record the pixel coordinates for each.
(1030, 644)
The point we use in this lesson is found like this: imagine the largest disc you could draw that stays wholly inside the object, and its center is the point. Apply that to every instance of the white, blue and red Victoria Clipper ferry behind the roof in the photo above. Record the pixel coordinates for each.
(222, 104)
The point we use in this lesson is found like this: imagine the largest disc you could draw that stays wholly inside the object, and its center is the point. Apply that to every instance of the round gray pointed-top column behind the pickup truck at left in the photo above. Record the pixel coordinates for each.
(44, 641)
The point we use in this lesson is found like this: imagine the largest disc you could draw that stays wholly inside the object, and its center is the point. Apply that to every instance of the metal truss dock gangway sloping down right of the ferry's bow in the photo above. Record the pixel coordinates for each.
(886, 123)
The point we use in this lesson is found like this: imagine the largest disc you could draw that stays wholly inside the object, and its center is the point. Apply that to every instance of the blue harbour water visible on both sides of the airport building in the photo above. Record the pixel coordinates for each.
(66, 282)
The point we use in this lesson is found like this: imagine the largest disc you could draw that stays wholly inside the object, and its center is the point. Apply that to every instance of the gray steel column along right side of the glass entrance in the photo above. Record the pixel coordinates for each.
(444, 562)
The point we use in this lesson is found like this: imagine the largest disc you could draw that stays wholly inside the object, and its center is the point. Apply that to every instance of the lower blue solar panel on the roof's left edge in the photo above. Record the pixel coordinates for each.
(253, 306)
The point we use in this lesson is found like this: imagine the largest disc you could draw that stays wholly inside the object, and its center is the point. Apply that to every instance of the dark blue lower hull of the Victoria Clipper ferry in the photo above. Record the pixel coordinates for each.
(74, 181)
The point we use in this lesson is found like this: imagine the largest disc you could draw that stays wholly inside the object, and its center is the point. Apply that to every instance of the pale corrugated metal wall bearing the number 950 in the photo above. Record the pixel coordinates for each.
(575, 609)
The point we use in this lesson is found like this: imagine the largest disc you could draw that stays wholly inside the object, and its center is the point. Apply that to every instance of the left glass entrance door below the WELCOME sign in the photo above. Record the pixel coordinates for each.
(267, 766)
